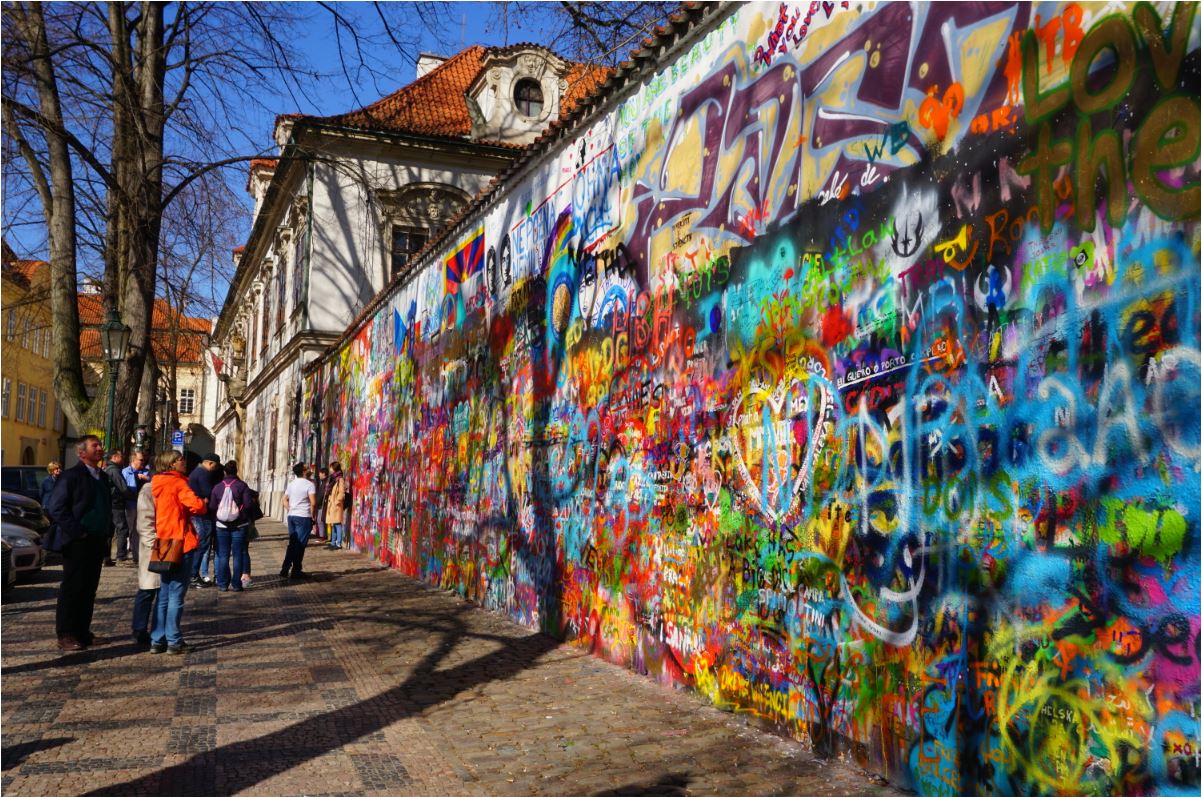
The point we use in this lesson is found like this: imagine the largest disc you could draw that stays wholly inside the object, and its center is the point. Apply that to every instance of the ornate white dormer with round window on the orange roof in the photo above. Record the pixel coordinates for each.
(517, 94)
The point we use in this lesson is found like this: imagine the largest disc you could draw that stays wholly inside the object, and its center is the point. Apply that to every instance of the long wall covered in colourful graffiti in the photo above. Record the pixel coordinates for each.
(846, 372)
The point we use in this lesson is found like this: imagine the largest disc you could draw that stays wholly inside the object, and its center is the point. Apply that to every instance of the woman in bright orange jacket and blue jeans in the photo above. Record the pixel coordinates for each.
(175, 504)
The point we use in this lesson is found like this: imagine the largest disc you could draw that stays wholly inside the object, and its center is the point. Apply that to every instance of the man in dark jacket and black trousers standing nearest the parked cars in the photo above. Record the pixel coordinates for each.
(82, 509)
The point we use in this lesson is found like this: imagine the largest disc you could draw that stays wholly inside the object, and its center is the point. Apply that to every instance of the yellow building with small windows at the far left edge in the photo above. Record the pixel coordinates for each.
(32, 423)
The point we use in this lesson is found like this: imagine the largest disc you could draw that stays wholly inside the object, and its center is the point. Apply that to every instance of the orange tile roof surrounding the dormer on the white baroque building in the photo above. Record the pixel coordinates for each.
(436, 105)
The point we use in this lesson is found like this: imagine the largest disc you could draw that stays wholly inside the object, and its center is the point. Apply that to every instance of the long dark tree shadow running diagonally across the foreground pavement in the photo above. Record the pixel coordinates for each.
(317, 736)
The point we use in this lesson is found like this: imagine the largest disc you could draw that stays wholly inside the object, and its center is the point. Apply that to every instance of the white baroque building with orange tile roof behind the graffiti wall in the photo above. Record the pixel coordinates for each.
(343, 211)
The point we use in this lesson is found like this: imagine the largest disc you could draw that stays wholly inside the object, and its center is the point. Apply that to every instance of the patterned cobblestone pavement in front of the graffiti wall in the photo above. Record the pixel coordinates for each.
(359, 682)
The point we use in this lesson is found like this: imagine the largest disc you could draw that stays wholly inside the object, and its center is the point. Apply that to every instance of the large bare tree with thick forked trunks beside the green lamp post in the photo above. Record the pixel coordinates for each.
(115, 111)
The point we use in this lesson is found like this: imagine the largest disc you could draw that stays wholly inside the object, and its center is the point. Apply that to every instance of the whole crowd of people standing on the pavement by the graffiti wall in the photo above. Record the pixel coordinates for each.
(211, 511)
